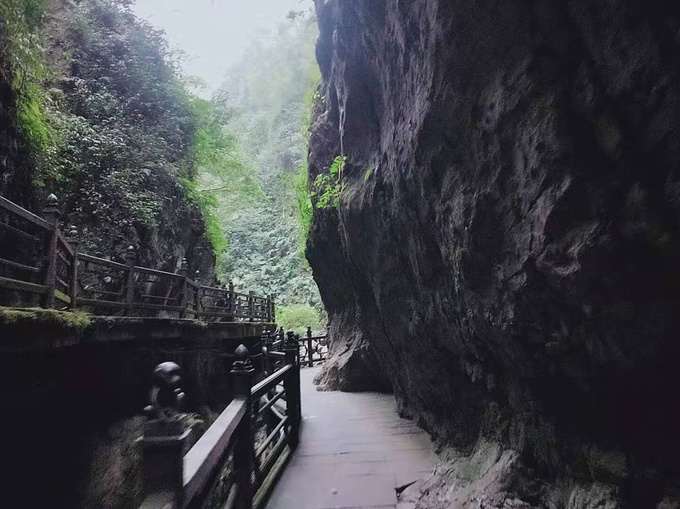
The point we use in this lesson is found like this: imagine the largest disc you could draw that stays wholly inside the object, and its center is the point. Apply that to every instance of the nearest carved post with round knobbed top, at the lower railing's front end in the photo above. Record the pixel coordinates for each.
(163, 443)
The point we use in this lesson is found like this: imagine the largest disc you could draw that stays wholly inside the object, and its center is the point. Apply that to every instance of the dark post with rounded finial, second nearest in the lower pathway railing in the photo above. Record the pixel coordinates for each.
(242, 374)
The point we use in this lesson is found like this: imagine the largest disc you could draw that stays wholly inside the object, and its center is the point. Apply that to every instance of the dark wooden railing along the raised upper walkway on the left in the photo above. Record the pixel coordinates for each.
(41, 266)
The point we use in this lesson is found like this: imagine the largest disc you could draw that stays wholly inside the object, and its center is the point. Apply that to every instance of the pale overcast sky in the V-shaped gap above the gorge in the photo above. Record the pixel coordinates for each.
(214, 33)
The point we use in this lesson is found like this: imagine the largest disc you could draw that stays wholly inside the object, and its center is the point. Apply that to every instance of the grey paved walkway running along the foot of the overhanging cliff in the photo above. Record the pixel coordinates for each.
(354, 451)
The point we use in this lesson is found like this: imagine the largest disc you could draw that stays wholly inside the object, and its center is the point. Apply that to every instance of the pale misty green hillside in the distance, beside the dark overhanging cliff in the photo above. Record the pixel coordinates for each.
(270, 95)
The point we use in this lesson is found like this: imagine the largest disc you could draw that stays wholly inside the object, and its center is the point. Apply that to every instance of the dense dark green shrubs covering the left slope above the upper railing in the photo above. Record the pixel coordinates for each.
(115, 129)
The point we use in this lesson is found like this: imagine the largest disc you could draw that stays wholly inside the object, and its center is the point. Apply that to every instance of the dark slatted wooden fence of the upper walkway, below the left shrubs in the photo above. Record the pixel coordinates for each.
(184, 295)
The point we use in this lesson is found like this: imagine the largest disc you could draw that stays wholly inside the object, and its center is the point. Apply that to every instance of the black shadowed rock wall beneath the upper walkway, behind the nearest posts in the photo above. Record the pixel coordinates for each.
(73, 402)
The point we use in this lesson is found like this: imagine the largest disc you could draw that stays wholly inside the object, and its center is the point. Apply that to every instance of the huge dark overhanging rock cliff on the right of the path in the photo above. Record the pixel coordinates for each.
(509, 265)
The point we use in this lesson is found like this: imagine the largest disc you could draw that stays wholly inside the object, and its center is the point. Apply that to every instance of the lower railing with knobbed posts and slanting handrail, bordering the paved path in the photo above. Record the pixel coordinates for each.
(236, 462)
